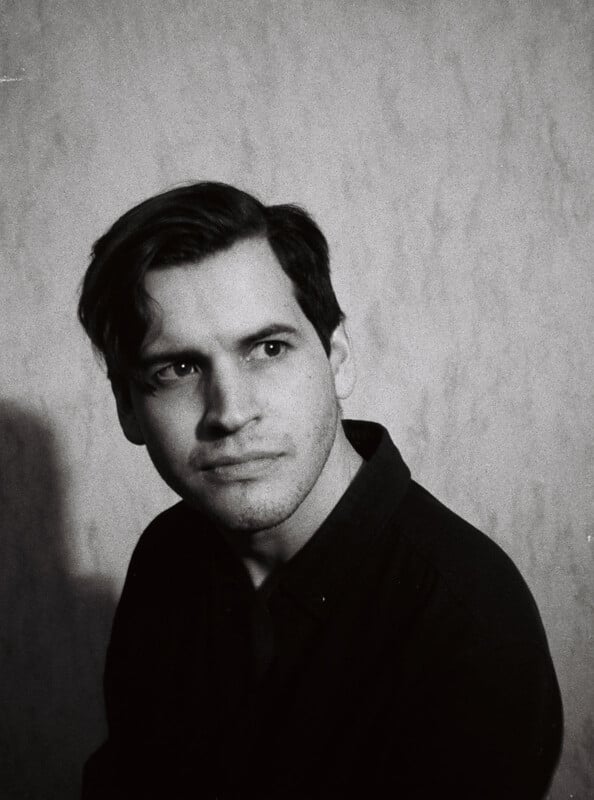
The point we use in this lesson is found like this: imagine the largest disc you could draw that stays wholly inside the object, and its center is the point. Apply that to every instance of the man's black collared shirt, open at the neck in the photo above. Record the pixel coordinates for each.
(398, 654)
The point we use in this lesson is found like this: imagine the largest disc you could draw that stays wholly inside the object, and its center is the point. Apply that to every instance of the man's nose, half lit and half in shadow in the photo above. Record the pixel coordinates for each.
(230, 401)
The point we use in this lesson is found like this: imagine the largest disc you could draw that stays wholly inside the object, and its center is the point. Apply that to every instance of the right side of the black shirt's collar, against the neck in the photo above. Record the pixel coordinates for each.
(322, 570)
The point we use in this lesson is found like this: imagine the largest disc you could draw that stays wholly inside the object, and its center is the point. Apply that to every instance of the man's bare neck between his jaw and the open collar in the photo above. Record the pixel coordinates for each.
(265, 550)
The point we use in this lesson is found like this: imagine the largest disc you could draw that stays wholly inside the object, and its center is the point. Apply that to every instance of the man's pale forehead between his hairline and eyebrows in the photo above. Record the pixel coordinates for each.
(225, 296)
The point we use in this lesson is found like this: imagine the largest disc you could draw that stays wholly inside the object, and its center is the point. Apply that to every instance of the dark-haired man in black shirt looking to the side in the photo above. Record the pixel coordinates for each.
(308, 622)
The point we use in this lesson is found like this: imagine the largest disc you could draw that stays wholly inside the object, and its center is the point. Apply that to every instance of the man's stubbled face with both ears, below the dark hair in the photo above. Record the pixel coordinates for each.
(242, 413)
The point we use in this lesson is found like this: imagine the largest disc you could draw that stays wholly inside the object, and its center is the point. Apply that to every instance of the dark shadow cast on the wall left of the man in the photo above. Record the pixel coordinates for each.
(54, 627)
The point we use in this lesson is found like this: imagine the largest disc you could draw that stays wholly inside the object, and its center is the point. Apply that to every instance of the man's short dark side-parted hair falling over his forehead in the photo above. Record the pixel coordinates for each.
(184, 225)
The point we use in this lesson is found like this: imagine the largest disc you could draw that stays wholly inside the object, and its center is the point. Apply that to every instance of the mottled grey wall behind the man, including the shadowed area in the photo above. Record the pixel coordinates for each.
(445, 147)
